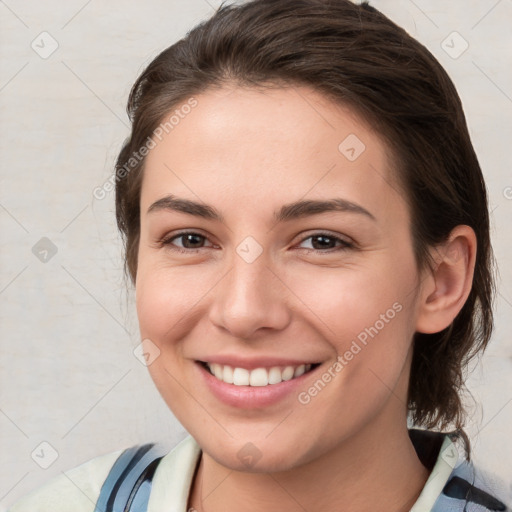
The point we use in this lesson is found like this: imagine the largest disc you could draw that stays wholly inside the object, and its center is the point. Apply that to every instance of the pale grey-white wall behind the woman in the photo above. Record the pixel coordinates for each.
(68, 327)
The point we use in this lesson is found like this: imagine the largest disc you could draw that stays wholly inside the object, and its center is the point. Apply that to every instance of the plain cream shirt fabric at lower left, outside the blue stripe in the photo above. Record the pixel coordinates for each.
(76, 489)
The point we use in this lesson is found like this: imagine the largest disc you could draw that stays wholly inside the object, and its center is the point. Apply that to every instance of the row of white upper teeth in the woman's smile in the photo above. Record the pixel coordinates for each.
(257, 377)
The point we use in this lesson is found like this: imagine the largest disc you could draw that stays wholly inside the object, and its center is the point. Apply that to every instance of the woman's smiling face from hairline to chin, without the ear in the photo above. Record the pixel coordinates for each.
(300, 258)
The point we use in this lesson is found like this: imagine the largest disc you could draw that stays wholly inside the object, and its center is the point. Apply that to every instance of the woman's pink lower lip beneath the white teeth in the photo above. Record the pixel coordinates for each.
(251, 397)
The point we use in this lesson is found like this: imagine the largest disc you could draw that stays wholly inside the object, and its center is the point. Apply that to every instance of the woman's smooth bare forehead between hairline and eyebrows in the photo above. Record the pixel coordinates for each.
(268, 146)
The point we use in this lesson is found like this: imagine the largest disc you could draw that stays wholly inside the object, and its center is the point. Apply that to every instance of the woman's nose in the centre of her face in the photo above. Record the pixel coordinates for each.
(251, 297)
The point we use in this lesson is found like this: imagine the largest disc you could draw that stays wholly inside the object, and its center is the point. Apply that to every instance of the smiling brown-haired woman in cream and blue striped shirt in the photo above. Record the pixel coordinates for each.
(306, 226)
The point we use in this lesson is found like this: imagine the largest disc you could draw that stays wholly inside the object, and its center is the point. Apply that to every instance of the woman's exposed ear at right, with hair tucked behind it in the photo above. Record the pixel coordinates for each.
(444, 290)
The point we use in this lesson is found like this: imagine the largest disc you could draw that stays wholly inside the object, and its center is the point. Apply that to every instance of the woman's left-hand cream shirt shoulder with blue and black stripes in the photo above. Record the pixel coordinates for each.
(120, 478)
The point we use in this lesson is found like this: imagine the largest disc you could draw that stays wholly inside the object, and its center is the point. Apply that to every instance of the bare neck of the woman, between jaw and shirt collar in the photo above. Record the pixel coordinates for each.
(377, 469)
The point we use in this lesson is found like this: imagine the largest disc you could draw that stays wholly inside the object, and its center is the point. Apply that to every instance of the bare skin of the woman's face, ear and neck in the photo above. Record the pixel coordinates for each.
(247, 152)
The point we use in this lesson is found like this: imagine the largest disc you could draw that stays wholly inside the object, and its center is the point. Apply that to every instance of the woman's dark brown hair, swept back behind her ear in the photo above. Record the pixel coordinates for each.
(358, 57)
